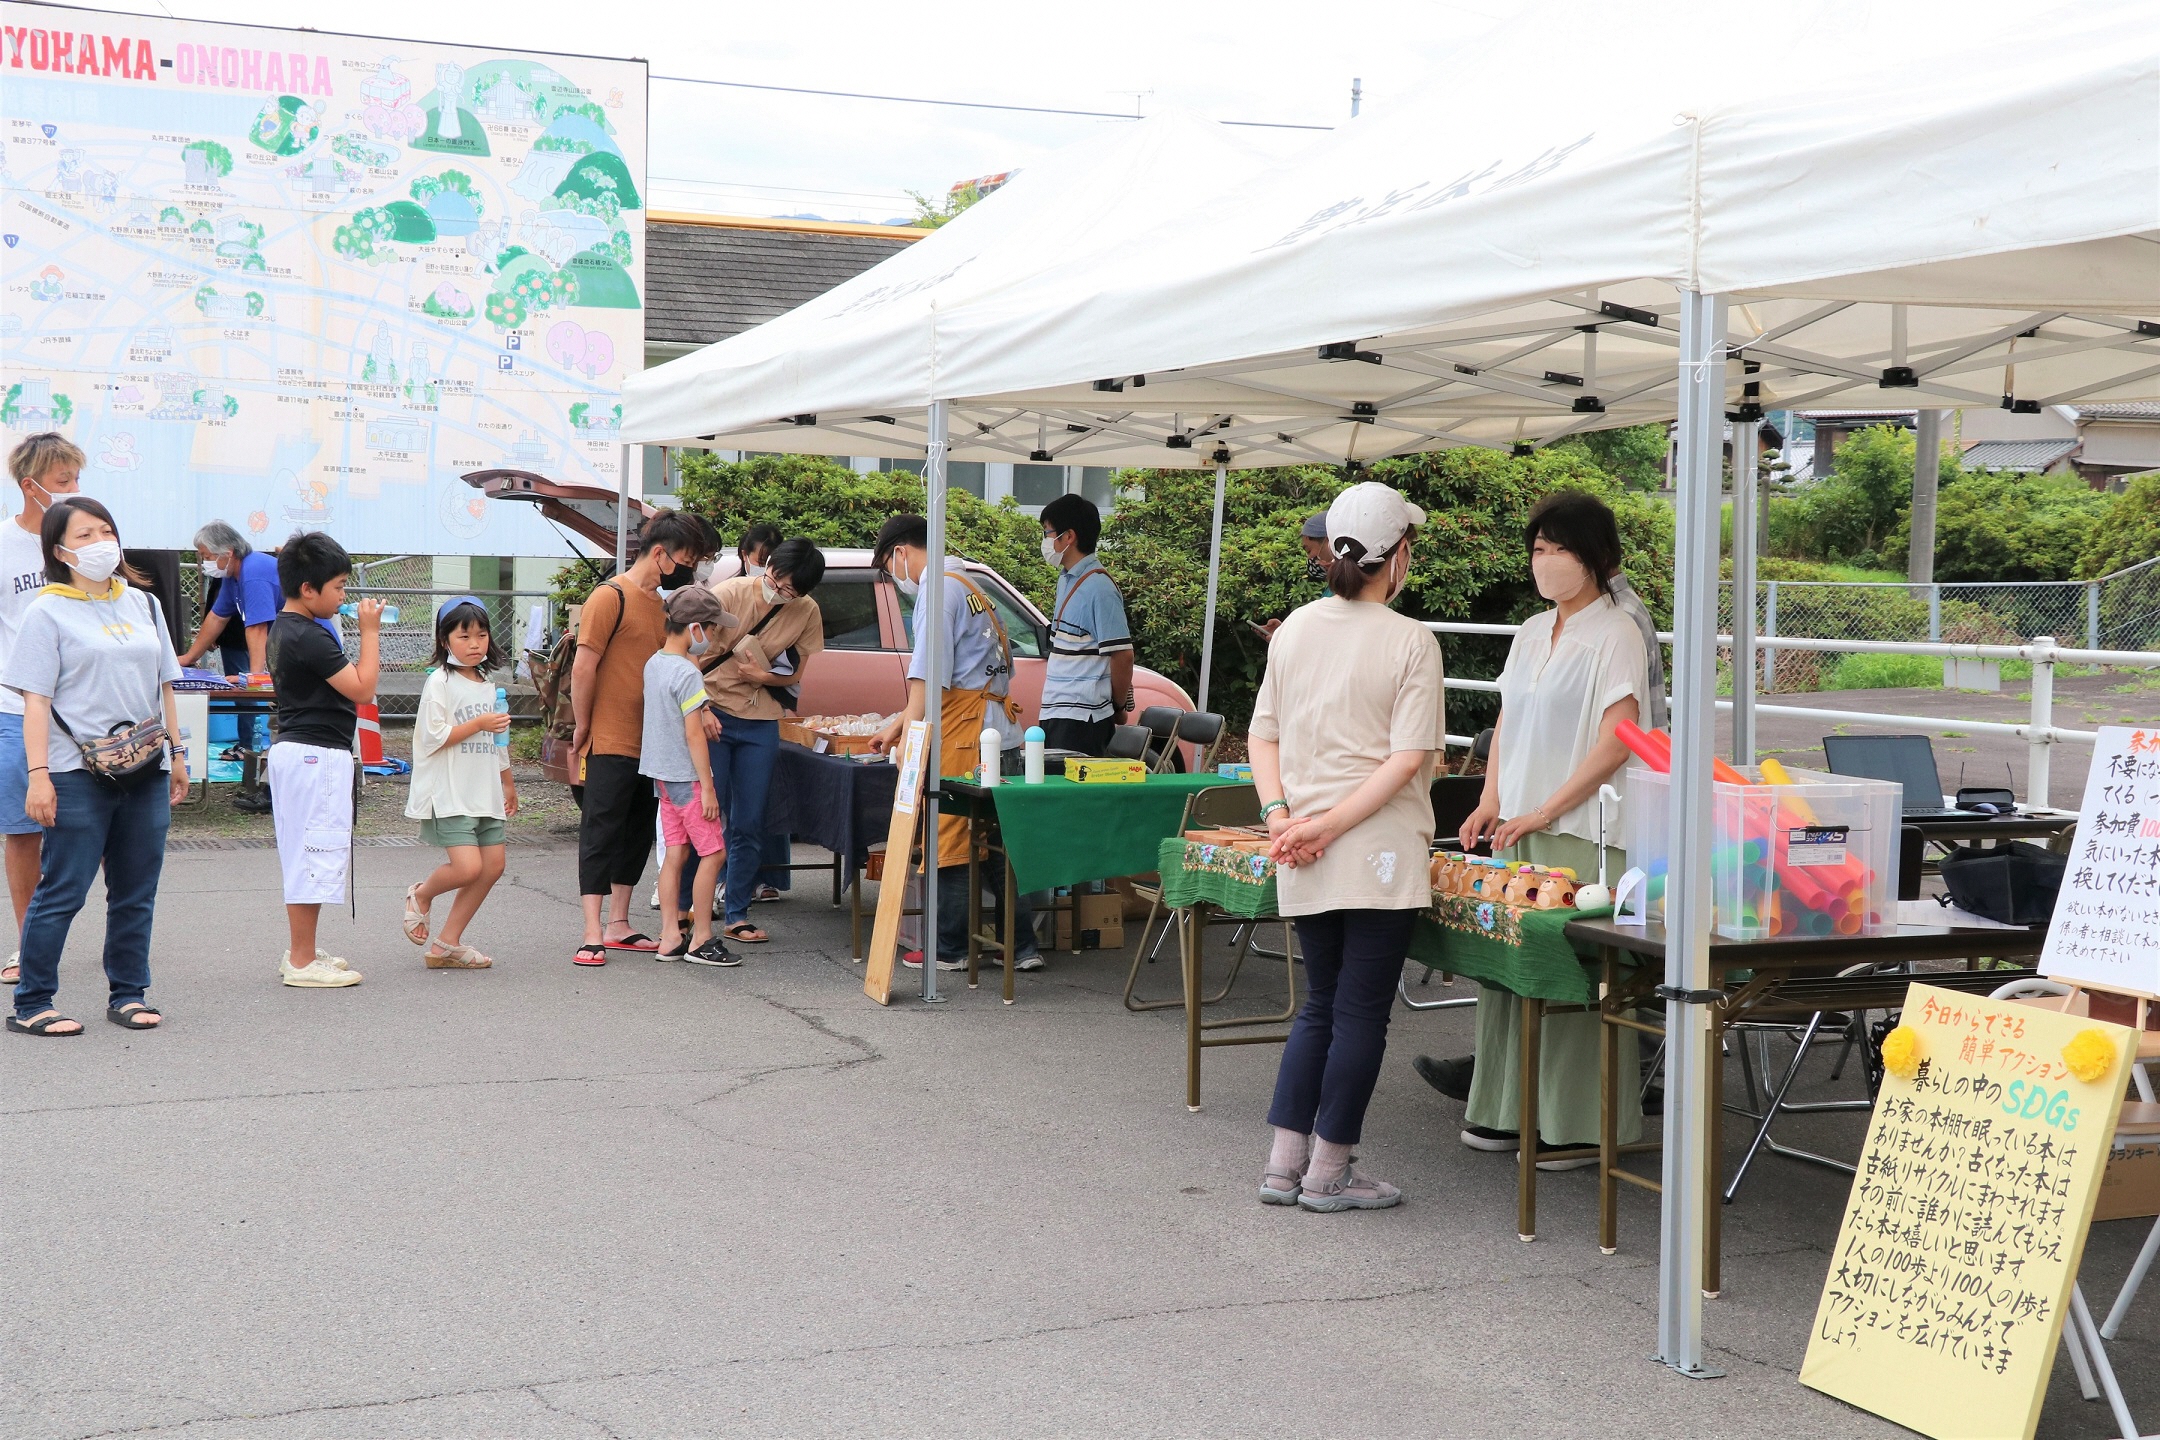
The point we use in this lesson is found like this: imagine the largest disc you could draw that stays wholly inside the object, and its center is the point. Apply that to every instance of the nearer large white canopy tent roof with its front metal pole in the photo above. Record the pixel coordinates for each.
(1967, 215)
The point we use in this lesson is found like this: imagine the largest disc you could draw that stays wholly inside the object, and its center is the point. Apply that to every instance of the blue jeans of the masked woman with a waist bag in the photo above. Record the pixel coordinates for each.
(124, 832)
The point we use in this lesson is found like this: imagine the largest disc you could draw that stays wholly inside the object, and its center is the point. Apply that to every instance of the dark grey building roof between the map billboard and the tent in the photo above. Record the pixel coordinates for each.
(710, 277)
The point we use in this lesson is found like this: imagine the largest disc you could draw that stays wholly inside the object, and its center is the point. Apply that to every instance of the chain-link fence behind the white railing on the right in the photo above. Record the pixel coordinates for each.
(2118, 612)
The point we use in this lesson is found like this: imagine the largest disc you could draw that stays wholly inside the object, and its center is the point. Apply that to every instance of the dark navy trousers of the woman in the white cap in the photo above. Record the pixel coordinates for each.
(1334, 1055)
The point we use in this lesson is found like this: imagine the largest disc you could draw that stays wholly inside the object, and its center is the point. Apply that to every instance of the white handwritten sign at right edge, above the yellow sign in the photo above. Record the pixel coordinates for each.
(2107, 916)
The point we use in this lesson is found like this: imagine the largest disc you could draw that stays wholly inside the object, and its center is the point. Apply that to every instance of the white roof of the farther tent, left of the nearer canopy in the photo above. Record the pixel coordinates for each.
(867, 349)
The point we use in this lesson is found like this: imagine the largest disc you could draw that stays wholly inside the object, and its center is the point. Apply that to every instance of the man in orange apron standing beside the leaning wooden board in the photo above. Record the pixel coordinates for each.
(980, 677)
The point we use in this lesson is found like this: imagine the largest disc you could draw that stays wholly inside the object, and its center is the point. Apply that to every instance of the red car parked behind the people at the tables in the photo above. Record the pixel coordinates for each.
(865, 662)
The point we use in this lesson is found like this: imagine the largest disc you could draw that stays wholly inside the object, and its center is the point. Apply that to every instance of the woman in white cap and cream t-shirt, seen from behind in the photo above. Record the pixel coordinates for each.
(1345, 735)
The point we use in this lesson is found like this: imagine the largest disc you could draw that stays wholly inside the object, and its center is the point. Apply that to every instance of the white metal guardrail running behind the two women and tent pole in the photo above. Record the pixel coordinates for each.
(2042, 653)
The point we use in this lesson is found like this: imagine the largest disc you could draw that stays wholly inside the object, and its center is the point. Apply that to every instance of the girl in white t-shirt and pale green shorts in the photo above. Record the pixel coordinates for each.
(461, 783)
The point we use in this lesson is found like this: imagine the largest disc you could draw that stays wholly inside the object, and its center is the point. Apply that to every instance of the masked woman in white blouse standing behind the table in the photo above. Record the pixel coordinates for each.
(1574, 675)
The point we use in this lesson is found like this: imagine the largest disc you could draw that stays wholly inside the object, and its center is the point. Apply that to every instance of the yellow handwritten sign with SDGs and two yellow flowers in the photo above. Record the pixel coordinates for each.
(1962, 1236)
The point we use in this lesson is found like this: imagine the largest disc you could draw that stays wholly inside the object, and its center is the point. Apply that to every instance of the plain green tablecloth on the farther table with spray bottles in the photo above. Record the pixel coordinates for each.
(1064, 832)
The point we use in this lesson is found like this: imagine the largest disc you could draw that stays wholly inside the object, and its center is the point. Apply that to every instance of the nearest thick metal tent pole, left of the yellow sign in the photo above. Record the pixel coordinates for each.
(1688, 1173)
